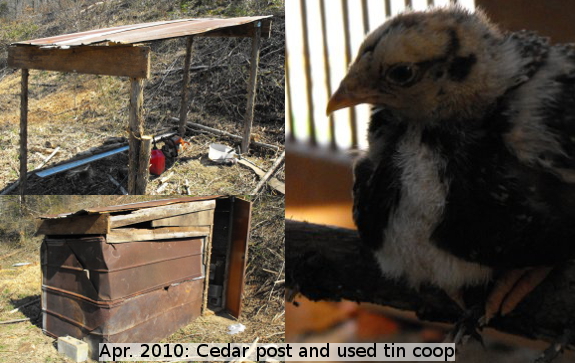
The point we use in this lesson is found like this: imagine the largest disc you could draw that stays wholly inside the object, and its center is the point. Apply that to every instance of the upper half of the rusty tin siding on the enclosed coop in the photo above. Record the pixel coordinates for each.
(101, 271)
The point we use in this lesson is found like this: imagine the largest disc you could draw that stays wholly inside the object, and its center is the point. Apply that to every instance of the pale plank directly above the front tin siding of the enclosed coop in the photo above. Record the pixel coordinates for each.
(122, 235)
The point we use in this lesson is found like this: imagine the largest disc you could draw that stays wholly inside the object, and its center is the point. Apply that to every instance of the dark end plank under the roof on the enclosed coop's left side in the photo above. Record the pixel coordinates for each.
(86, 224)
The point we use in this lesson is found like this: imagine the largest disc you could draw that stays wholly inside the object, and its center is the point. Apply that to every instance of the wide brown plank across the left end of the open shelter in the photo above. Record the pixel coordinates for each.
(128, 61)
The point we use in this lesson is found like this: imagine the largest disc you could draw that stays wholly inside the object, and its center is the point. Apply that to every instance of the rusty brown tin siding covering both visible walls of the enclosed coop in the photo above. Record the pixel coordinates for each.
(121, 293)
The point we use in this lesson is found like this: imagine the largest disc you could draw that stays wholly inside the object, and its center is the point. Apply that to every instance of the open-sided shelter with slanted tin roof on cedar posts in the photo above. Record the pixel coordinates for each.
(121, 51)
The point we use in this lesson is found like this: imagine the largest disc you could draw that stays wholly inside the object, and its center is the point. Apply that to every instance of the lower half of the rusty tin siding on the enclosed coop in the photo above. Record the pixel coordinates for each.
(146, 317)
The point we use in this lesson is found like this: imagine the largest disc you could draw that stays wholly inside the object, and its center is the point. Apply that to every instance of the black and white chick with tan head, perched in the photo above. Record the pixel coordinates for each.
(470, 173)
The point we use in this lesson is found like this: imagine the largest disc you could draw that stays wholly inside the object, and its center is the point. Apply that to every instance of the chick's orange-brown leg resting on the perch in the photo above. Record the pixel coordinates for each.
(511, 288)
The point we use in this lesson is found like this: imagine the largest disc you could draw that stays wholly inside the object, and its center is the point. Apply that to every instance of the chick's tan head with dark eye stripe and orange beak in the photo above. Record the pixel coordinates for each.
(437, 64)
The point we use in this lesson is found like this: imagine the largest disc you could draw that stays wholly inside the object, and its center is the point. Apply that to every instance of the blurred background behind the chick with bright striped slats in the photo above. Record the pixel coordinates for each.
(322, 38)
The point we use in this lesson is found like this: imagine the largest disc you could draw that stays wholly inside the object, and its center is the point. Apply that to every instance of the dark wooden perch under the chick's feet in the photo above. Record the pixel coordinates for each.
(328, 263)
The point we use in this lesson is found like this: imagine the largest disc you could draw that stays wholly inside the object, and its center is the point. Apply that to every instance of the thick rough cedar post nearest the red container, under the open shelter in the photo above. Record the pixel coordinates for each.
(135, 130)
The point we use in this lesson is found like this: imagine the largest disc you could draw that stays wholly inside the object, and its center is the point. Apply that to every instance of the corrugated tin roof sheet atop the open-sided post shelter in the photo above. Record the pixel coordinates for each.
(138, 33)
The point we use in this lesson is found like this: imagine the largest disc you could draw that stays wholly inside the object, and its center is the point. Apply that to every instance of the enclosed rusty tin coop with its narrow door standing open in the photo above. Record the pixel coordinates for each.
(138, 272)
